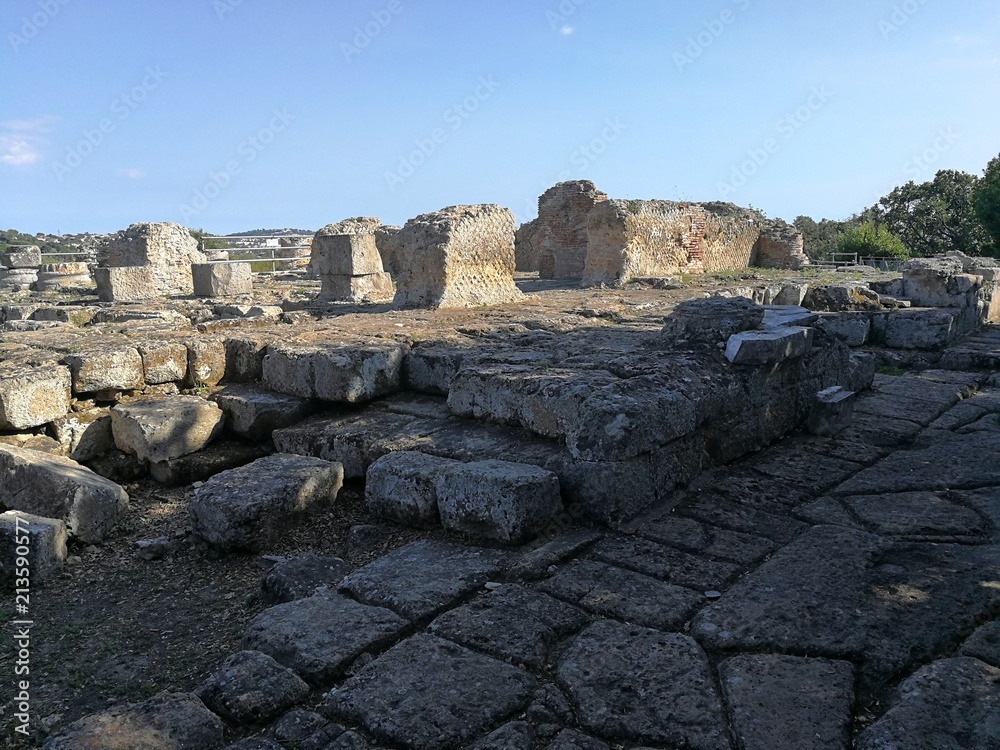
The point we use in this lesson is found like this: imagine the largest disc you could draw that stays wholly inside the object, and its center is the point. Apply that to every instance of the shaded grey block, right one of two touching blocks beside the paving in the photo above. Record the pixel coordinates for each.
(498, 500)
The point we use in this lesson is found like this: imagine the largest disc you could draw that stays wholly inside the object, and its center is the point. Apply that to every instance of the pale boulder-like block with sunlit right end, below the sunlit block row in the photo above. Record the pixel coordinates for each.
(161, 429)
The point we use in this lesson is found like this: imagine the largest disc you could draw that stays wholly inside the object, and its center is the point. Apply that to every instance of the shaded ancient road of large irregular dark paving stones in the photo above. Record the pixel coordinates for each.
(822, 594)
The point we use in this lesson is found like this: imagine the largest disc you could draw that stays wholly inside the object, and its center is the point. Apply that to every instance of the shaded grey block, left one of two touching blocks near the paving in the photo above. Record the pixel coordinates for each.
(402, 487)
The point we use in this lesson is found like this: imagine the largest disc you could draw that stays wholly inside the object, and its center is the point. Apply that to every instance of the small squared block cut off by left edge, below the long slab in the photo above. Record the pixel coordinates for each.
(39, 542)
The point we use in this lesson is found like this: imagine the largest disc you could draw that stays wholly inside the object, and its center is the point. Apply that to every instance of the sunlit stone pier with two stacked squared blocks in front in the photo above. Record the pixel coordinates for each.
(346, 258)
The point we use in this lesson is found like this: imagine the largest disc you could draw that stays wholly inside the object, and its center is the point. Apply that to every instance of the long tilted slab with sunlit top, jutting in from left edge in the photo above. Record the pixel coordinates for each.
(55, 487)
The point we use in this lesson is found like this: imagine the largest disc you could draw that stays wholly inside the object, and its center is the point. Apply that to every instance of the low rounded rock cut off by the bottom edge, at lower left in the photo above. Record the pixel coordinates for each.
(168, 721)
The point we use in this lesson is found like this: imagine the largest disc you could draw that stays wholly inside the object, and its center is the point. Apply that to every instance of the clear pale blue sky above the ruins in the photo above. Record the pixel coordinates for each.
(237, 114)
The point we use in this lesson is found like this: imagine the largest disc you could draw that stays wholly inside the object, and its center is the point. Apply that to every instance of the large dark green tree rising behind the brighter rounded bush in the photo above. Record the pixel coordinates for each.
(933, 217)
